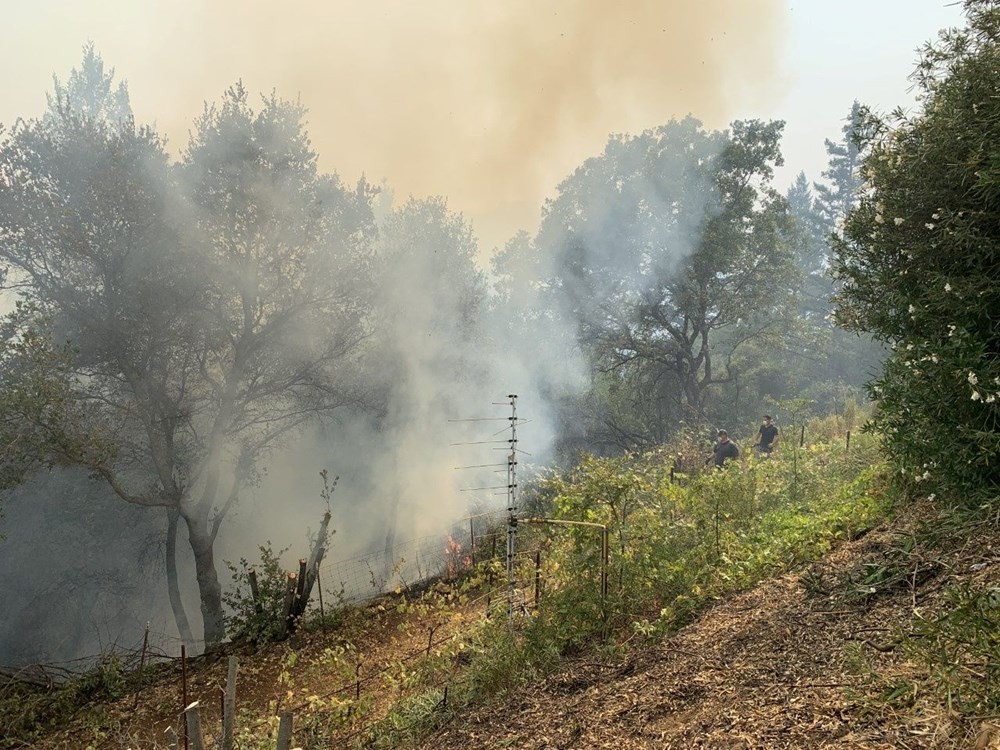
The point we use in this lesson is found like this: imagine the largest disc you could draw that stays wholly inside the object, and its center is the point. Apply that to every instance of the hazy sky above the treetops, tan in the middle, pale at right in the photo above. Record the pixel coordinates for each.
(489, 104)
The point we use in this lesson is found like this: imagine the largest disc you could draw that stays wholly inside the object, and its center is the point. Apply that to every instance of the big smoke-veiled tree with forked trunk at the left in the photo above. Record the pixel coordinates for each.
(213, 309)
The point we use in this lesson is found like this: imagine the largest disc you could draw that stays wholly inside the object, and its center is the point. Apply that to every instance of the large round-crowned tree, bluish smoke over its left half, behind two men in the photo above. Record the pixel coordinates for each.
(670, 252)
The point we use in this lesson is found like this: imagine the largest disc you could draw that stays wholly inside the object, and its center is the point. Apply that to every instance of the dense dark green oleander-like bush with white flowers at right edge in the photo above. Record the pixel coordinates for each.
(920, 260)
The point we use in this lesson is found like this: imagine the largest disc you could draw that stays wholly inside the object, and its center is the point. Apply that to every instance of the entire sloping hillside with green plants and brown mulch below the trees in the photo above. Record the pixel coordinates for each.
(687, 547)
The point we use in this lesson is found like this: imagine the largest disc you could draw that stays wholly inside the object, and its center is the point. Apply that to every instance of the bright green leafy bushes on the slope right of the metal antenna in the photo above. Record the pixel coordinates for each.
(673, 547)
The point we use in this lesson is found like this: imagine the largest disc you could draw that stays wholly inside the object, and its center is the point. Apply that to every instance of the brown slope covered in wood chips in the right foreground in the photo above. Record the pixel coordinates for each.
(785, 665)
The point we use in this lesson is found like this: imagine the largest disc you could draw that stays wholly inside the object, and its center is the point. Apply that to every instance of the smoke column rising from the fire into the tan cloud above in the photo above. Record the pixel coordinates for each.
(491, 105)
